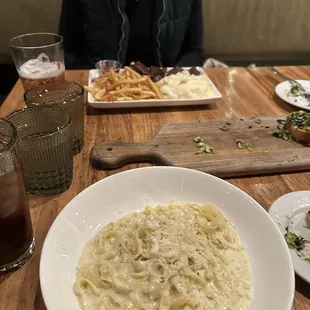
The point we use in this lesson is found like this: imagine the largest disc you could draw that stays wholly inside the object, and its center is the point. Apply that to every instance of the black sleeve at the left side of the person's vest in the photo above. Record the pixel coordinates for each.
(71, 28)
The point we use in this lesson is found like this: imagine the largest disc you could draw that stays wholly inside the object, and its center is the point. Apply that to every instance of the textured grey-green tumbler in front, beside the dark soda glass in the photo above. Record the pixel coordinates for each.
(45, 143)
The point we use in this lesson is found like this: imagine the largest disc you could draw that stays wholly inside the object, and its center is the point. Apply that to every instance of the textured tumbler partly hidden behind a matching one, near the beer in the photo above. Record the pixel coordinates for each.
(66, 95)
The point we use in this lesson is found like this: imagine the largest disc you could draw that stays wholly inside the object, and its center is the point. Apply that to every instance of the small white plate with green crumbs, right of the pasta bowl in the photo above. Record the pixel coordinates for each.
(289, 211)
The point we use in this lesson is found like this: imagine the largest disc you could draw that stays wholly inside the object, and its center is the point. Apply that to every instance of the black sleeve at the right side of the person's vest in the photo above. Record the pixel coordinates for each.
(192, 49)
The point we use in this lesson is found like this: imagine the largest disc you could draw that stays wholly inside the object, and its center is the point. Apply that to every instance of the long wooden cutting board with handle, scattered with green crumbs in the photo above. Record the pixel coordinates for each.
(173, 145)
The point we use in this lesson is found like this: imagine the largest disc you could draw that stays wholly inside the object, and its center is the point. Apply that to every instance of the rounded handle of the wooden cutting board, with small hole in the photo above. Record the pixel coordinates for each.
(113, 155)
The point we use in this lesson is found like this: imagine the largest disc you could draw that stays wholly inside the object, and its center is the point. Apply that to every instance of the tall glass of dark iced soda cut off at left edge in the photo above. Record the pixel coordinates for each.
(16, 235)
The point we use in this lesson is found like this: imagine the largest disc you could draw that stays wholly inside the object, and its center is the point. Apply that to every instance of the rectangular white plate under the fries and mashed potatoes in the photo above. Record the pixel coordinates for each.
(151, 103)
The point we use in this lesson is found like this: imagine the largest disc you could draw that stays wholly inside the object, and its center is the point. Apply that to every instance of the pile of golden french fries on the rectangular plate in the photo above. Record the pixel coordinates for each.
(126, 85)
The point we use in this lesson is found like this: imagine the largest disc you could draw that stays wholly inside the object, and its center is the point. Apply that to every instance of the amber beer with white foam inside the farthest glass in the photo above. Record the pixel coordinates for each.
(32, 76)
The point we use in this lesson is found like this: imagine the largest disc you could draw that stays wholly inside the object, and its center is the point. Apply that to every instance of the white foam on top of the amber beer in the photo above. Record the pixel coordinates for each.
(41, 68)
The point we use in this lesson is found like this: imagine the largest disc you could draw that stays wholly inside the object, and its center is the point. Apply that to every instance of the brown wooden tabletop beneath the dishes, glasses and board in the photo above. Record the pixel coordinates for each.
(246, 92)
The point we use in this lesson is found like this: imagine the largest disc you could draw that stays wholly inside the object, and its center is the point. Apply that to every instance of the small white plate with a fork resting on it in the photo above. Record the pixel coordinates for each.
(283, 89)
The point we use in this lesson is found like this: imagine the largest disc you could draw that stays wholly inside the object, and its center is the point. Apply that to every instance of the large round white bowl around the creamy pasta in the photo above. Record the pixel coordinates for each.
(111, 198)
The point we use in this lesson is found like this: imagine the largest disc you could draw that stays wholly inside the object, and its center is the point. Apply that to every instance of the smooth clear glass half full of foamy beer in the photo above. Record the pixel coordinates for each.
(38, 57)
